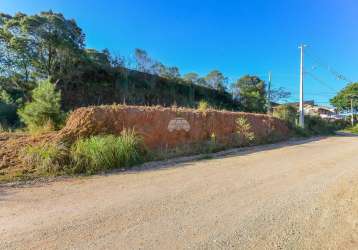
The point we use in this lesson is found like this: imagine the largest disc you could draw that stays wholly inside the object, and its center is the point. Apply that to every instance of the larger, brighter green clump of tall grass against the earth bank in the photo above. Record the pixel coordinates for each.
(101, 153)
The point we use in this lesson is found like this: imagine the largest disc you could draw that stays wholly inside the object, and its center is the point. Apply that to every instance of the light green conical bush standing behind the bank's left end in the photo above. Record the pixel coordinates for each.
(44, 110)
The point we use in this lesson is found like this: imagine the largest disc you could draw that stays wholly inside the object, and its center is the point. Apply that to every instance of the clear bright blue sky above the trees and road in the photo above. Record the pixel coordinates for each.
(236, 37)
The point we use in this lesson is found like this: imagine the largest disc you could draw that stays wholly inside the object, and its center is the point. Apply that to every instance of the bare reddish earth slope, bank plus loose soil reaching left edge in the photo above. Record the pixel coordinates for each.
(161, 128)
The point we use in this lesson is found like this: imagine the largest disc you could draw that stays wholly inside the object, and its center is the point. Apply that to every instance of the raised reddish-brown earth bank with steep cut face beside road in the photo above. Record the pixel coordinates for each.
(167, 127)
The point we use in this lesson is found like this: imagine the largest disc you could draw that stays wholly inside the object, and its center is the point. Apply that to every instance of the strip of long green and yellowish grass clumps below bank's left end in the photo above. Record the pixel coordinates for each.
(86, 156)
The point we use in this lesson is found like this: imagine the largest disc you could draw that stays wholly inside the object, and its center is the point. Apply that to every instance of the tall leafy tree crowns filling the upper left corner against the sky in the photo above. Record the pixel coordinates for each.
(39, 46)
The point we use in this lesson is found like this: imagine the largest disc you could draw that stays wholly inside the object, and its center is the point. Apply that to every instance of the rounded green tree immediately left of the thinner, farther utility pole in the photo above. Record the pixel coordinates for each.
(251, 94)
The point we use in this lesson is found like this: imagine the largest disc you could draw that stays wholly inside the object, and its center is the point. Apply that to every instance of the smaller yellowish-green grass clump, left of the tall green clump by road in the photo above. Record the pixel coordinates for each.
(50, 158)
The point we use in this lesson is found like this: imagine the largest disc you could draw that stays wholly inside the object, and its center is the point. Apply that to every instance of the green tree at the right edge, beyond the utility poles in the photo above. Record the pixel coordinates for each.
(342, 101)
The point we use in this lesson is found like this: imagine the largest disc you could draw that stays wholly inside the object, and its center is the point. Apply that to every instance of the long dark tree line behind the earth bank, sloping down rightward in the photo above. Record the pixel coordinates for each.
(48, 45)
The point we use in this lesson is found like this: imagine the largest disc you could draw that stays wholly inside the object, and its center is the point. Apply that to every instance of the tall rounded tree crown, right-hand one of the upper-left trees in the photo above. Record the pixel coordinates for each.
(57, 41)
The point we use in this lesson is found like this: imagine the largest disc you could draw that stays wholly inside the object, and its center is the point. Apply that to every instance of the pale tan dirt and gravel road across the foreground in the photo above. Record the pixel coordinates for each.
(293, 195)
